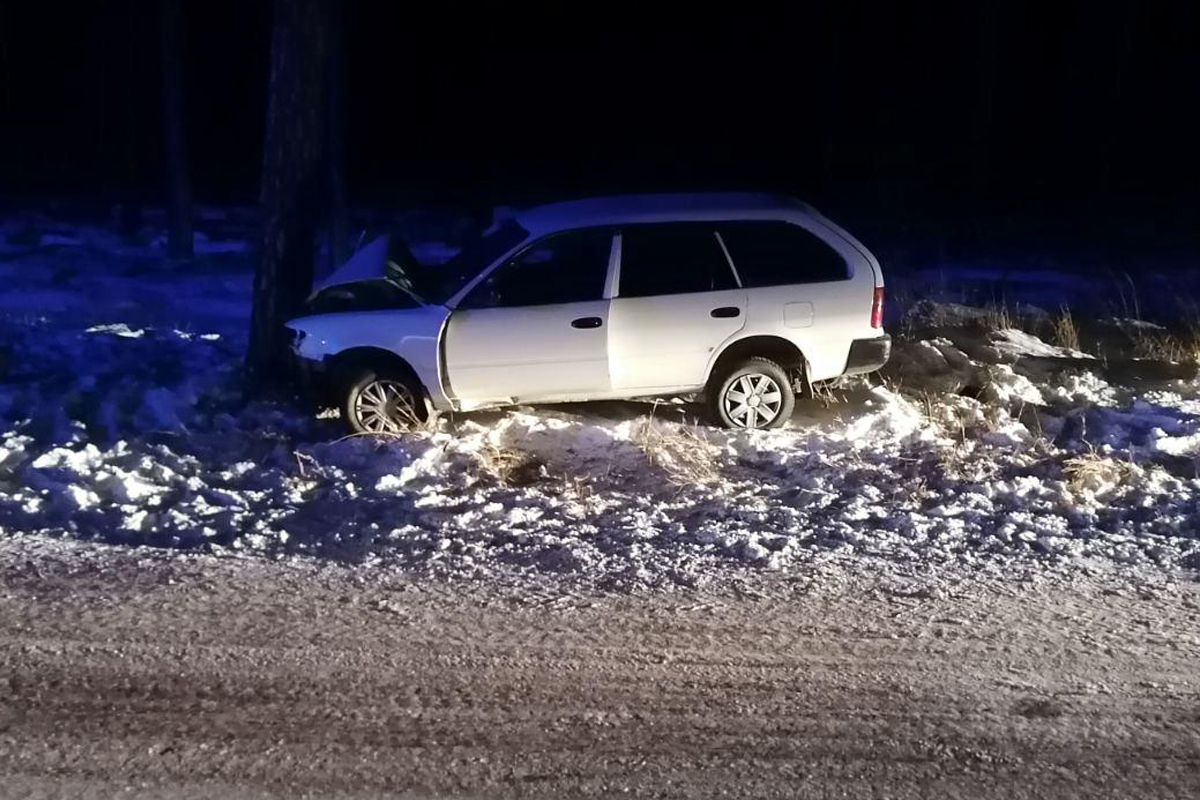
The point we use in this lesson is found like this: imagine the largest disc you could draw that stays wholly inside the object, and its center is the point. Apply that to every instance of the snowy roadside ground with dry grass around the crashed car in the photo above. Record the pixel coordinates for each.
(982, 453)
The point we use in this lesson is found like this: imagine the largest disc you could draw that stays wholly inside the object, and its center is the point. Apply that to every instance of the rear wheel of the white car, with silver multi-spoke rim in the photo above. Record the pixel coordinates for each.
(754, 395)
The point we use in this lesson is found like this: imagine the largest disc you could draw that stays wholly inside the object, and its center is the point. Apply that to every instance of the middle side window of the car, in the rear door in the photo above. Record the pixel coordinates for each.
(673, 258)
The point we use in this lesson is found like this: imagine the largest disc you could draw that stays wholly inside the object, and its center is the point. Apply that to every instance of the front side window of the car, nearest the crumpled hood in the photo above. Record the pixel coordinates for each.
(565, 268)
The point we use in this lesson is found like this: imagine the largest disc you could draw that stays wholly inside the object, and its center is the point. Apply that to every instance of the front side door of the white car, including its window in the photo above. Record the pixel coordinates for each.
(537, 327)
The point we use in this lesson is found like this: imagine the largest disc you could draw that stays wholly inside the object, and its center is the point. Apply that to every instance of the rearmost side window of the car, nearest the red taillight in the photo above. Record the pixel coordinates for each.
(777, 254)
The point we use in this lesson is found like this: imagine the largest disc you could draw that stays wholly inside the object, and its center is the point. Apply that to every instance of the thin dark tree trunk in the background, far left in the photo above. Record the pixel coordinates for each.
(179, 185)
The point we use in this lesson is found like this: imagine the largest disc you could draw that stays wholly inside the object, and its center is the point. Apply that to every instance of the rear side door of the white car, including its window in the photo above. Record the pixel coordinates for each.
(677, 300)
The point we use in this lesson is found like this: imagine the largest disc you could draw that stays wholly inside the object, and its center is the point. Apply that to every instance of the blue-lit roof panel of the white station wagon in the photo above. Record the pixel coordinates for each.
(632, 209)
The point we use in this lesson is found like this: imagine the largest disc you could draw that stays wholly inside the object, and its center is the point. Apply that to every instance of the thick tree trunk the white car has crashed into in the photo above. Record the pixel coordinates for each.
(292, 178)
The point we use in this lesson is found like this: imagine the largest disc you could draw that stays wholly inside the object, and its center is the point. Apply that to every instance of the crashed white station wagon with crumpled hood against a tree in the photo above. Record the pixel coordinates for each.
(746, 299)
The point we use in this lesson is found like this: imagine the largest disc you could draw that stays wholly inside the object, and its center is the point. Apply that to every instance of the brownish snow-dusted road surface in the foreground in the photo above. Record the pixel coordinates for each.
(155, 677)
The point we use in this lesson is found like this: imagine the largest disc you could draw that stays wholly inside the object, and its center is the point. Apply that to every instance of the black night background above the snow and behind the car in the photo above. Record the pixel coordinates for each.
(968, 130)
